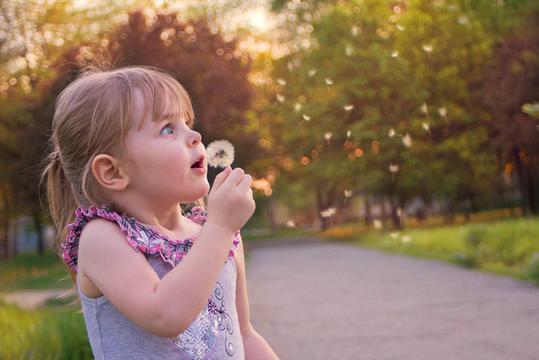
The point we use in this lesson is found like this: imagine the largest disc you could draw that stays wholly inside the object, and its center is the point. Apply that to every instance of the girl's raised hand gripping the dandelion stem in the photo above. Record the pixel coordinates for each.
(230, 201)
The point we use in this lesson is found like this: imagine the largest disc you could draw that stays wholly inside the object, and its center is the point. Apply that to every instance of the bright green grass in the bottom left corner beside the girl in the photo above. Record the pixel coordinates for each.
(54, 332)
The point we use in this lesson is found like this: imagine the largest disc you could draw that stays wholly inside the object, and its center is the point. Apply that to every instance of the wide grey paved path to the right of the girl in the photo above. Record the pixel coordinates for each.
(314, 300)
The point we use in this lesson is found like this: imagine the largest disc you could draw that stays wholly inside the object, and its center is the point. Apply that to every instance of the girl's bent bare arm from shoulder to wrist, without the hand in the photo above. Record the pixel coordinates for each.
(163, 307)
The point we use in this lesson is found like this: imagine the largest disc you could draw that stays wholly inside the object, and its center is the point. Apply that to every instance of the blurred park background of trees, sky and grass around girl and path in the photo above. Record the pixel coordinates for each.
(403, 125)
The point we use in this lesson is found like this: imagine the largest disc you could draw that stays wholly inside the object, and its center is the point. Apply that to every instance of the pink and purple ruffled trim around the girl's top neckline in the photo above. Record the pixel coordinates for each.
(142, 238)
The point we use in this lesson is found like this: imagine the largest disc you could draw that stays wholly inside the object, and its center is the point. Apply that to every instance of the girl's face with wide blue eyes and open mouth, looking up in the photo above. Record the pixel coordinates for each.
(161, 155)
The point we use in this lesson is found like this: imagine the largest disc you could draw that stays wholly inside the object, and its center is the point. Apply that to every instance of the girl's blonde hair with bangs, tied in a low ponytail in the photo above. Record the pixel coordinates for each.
(93, 115)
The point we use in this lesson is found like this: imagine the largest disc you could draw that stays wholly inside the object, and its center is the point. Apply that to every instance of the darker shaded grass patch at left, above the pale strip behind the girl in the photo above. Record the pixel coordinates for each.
(33, 271)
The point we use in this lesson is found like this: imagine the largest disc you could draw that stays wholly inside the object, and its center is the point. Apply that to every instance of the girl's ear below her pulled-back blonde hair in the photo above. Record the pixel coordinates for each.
(108, 172)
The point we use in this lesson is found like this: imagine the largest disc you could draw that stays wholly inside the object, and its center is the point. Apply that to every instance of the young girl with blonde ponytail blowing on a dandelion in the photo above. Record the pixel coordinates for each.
(153, 283)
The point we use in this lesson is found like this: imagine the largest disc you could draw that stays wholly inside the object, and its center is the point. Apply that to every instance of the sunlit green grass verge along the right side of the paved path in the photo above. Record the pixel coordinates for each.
(504, 247)
